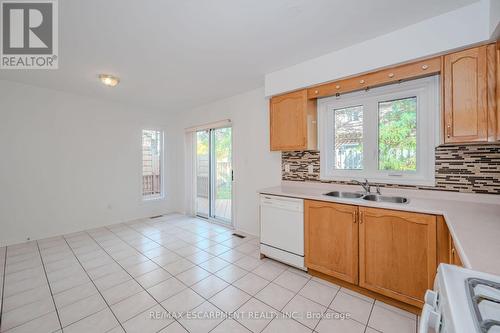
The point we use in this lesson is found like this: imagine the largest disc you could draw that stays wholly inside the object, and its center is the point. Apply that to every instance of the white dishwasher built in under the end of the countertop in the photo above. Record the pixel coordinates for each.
(282, 229)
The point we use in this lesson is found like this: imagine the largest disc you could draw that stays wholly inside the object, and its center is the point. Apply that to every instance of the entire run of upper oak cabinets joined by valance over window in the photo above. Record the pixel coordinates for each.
(470, 98)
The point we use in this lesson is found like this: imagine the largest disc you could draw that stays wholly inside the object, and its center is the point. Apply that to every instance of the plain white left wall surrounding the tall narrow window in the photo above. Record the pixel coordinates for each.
(70, 163)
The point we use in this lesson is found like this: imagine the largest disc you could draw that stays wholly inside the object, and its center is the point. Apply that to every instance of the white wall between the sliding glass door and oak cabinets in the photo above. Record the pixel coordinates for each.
(255, 167)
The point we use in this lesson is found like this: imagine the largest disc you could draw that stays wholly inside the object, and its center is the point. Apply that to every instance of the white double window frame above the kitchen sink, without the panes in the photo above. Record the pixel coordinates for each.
(427, 92)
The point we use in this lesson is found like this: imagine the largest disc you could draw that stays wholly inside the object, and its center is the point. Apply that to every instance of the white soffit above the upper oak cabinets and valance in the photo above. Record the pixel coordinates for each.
(455, 29)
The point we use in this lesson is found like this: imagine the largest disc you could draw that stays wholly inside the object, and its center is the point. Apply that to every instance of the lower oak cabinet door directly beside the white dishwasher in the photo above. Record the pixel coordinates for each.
(331, 239)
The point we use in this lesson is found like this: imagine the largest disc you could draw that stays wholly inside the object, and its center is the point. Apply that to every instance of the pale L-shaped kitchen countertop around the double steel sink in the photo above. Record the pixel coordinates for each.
(473, 219)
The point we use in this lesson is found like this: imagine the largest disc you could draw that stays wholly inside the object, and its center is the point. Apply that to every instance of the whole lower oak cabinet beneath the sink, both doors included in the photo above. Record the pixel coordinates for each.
(392, 253)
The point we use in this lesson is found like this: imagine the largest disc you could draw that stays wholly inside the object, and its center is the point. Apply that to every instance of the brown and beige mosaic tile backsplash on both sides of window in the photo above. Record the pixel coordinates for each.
(460, 168)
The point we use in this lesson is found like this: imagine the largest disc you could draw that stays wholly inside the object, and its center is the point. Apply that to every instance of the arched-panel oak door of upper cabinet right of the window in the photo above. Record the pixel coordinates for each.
(465, 96)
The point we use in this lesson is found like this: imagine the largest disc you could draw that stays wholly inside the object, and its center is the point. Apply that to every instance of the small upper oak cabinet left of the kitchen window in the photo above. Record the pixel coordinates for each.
(293, 122)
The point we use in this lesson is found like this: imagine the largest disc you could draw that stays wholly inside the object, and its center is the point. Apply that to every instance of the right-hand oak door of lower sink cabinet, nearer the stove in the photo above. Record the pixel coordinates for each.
(397, 253)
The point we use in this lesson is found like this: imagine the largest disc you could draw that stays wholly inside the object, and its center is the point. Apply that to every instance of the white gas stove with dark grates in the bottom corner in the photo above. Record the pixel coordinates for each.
(463, 300)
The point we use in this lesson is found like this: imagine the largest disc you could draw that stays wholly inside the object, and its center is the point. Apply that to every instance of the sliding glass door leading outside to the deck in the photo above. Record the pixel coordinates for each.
(214, 174)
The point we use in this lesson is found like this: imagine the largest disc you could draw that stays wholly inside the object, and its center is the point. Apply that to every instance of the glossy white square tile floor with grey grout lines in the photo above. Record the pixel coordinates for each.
(135, 276)
